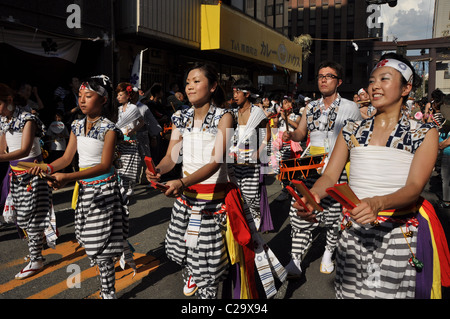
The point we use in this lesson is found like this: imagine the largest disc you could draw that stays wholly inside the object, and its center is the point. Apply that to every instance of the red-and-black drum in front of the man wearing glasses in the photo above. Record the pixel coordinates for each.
(302, 168)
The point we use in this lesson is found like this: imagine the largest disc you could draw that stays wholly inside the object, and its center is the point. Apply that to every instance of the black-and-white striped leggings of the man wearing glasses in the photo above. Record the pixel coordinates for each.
(301, 232)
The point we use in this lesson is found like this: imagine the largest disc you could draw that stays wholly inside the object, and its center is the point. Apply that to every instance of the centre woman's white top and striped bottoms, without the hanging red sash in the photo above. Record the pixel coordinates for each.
(195, 236)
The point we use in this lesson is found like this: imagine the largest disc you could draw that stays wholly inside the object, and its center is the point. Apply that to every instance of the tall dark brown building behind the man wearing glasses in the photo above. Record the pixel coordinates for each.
(340, 33)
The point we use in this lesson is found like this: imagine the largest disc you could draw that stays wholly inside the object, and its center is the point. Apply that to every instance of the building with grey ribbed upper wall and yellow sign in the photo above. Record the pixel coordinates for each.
(170, 32)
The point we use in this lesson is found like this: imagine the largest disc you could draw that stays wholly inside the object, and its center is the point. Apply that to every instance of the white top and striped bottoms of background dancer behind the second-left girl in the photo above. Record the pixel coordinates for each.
(128, 148)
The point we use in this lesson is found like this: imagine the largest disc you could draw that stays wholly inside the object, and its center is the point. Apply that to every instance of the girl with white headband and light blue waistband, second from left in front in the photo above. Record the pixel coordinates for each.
(101, 203)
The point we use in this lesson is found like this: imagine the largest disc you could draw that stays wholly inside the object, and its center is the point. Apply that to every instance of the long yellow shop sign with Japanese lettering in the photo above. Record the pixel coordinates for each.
(233, 33)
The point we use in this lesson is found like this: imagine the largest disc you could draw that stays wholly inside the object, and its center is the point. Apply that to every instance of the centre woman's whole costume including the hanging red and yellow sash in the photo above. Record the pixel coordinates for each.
(208, 227)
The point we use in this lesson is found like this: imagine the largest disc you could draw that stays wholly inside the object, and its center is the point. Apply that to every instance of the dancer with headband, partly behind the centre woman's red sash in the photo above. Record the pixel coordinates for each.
(248, 150)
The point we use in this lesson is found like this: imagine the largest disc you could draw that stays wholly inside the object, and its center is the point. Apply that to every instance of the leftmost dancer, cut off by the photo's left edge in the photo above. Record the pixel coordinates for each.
(28, 194)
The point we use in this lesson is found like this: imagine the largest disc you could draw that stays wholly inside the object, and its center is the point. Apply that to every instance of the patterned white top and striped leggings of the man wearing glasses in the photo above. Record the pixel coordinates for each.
(324, 127)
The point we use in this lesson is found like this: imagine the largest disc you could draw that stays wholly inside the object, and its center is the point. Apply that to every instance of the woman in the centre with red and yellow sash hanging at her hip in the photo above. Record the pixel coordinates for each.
(207, 203)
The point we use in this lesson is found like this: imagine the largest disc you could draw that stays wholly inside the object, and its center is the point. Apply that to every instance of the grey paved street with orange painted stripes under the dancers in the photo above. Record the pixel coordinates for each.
(157, 278)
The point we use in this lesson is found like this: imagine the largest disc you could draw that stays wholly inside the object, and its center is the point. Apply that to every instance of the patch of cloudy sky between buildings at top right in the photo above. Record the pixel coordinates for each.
(409, 20)
